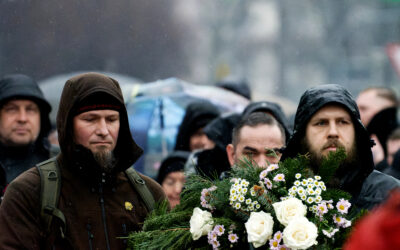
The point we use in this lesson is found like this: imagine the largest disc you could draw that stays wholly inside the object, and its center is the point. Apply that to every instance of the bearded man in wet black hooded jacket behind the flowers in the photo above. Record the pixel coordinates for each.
(327, 119)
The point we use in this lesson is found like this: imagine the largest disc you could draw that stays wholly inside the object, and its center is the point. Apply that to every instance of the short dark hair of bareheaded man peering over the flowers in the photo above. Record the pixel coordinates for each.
(253, 120)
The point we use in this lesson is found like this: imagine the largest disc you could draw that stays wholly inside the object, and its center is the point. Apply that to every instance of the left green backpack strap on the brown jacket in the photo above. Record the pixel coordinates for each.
(50, 178)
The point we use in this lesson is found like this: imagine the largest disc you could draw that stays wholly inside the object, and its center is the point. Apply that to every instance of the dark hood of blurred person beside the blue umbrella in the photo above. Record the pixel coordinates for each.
(197, 115)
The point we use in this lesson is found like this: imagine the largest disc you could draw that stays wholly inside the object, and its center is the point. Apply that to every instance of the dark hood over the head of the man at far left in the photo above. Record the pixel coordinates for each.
(18, 86)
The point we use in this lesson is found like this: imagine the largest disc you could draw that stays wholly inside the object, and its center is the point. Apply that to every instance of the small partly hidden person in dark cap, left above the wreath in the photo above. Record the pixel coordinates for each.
(171, 176)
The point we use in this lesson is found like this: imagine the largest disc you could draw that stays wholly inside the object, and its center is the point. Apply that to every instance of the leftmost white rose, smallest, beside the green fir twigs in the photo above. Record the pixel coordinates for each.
(200, 223)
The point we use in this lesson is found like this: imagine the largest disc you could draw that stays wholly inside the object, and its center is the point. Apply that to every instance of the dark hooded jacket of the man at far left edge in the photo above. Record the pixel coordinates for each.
(16, 160)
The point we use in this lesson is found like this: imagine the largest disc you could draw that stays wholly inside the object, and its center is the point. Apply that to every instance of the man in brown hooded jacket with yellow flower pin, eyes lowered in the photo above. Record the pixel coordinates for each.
(97, 199)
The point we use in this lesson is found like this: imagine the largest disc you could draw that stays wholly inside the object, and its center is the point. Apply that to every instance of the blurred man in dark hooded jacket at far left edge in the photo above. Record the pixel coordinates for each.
(24, 124)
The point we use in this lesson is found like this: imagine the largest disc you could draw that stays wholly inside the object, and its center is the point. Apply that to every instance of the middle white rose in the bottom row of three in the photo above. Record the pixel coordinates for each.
(259, 228)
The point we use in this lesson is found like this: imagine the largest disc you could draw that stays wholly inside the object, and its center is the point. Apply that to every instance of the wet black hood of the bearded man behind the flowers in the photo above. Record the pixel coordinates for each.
(313, 100)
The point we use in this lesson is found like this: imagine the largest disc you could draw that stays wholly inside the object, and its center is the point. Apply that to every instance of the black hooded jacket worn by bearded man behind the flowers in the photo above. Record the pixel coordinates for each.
(367, 186)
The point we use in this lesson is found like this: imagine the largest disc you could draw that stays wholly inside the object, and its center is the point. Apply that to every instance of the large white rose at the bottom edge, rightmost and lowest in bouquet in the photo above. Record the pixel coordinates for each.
(300, 233)
